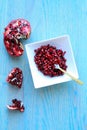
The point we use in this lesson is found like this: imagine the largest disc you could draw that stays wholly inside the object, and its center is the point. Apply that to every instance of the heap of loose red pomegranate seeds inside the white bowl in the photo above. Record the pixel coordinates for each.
(46, 57)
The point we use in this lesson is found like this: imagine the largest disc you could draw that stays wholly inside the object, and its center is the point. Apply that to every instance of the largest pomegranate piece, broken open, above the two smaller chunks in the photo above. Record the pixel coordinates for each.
(16, 30)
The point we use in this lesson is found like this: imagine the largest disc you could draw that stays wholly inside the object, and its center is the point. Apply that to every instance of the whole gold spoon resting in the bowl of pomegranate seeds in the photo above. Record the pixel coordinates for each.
(71, 76)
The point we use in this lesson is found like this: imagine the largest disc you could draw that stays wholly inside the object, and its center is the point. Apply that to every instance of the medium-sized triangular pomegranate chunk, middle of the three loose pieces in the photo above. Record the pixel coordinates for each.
(15, 77)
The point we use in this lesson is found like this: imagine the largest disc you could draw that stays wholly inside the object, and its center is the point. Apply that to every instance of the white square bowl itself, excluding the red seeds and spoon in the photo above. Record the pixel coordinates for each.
(40, 80)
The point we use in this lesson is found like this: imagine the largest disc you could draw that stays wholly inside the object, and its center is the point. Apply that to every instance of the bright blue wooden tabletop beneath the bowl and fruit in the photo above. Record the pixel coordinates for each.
(58, 107)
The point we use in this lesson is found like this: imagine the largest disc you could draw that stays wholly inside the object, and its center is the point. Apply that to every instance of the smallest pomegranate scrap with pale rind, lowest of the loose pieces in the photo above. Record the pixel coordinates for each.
(16, 105)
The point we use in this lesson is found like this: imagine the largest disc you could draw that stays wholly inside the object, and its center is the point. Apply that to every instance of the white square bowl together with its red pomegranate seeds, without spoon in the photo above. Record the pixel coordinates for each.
(43, 56)
